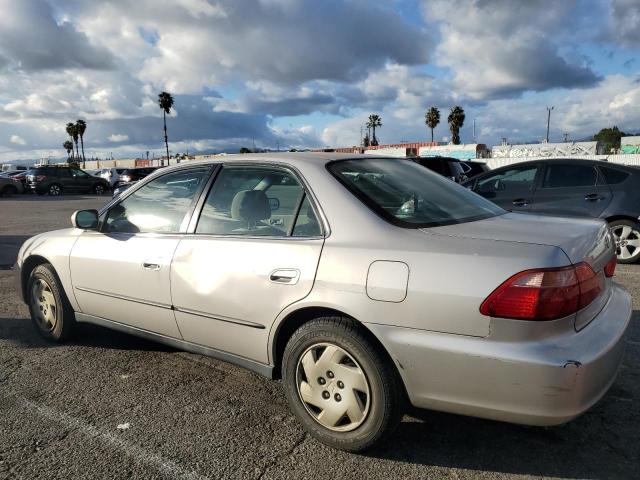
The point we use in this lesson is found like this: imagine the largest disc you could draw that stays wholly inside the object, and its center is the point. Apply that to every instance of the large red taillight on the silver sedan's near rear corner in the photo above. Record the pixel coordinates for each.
(545, 294)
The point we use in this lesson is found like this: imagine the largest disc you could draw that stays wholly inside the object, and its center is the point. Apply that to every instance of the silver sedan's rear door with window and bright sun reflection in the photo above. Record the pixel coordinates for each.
(253, 251)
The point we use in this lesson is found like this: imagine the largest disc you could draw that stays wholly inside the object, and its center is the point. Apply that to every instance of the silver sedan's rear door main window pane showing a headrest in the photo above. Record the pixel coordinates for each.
(251, 201)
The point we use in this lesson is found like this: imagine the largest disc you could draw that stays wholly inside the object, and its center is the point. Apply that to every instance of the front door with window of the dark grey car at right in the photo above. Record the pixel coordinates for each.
(512, 188)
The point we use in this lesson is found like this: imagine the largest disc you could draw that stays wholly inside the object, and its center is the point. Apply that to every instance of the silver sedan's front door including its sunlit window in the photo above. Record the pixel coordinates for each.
(122, 272)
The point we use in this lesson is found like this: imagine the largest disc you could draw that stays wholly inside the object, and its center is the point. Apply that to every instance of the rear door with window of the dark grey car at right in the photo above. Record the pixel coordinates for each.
(574, 190)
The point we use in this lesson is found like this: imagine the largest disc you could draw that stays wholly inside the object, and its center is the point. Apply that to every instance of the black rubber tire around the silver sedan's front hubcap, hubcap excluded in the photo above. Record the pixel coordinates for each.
(64, 316)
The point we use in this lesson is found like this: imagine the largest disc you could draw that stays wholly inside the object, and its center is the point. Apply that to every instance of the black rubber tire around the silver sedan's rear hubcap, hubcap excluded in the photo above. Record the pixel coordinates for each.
(387, 398)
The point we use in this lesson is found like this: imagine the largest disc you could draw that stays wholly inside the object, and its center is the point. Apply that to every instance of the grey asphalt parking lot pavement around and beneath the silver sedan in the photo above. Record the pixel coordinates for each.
(108, 405)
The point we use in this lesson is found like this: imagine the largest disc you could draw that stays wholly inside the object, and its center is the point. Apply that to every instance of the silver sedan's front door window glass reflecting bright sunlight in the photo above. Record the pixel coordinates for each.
(159, 206)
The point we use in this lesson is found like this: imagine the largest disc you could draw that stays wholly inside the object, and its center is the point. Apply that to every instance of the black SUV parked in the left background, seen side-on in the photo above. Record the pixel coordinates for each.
(55, 180)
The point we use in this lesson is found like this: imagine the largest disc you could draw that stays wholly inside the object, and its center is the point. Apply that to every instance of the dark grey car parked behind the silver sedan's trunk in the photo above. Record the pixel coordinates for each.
(576, 188)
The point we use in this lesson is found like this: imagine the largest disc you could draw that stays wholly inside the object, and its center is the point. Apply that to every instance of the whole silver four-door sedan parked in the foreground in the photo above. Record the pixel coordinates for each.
(361, 282)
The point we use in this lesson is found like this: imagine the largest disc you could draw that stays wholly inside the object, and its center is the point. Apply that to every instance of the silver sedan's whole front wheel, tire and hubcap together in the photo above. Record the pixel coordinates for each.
(50, 310)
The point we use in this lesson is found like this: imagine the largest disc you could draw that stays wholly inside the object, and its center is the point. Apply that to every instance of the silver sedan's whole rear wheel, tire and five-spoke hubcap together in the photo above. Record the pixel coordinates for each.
(340, 386)
